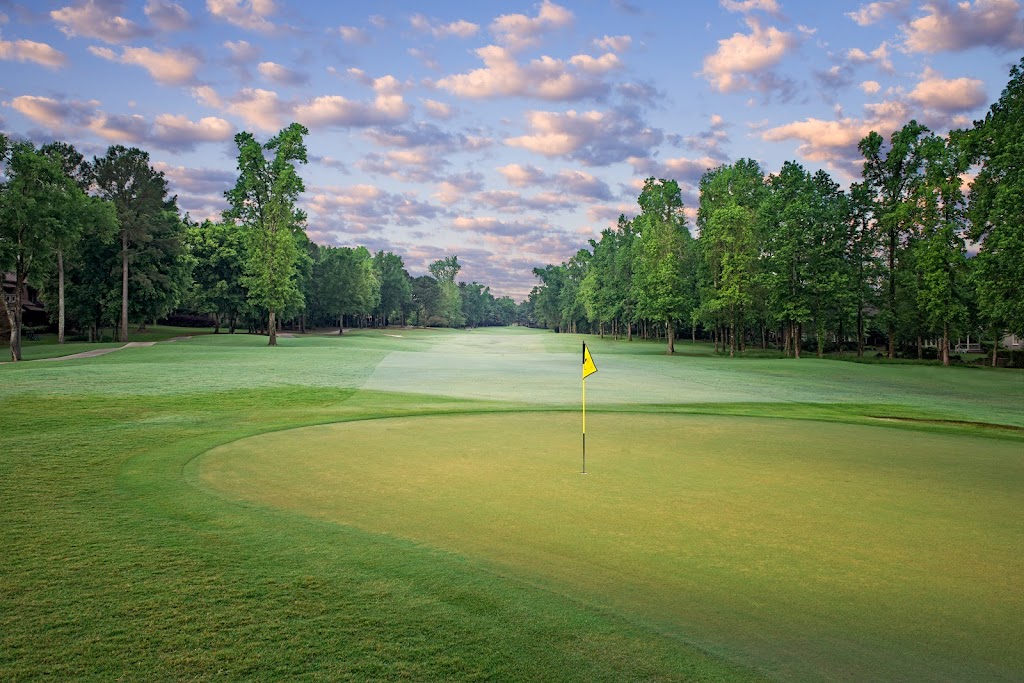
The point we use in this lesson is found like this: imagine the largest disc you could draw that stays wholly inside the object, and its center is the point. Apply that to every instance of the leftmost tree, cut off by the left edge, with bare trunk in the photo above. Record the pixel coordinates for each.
(34, 202)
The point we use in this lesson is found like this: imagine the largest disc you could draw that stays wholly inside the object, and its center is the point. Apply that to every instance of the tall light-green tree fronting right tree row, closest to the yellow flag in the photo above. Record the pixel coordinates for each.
(660, 282)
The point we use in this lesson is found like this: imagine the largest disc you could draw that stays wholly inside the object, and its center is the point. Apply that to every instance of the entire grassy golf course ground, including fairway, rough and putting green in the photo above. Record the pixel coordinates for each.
(410, 504)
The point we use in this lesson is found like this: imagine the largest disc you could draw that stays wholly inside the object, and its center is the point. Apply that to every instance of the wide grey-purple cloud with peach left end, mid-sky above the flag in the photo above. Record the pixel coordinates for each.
(595, 139)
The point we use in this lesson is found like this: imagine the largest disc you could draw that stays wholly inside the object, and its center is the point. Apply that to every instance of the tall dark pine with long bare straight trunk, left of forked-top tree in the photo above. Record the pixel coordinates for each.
(139, 193)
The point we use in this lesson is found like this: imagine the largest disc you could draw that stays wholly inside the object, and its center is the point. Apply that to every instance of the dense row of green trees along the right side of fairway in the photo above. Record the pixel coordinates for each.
(791, 259)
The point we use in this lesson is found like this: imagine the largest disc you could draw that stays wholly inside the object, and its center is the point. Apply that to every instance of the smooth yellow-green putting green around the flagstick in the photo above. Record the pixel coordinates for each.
(809, 550)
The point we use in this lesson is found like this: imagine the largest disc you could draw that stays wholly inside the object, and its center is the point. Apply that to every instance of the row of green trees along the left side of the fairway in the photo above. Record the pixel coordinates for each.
(105, 243)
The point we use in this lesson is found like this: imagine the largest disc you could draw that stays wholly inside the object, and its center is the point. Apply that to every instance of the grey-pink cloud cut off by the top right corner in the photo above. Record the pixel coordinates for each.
(948, 28)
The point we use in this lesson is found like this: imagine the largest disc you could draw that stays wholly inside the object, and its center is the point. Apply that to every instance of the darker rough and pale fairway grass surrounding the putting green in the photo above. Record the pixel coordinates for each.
(118, 564)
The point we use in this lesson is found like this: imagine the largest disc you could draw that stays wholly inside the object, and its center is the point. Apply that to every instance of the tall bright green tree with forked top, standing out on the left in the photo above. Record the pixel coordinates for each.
(264, 201)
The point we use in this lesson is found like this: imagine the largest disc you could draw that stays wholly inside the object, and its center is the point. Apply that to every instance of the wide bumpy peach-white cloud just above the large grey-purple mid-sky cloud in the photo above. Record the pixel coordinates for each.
(545, 78)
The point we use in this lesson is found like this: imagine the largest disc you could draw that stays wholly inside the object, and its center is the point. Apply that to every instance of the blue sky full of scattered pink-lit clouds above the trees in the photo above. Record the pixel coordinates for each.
(508, 134)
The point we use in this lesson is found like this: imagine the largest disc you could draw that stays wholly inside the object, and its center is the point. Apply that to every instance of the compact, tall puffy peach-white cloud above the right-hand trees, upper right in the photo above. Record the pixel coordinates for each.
(744, 61)
